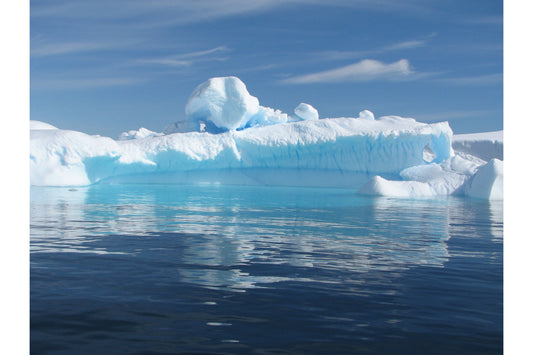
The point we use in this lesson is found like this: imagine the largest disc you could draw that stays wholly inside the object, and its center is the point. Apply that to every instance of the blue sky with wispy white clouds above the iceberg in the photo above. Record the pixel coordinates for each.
(104, 67)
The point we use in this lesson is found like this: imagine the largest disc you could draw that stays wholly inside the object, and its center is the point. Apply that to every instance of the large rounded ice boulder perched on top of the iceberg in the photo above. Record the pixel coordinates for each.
(222, 102)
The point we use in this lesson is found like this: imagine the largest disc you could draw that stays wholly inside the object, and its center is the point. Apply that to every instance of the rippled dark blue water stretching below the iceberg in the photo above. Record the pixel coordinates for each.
(140, 269)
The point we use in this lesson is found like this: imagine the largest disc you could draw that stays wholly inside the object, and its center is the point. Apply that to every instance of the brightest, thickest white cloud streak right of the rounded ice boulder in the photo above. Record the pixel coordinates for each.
(365, 70)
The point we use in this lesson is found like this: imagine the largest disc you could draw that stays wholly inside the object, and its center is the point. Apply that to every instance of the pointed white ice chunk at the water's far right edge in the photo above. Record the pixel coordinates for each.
(487, 183)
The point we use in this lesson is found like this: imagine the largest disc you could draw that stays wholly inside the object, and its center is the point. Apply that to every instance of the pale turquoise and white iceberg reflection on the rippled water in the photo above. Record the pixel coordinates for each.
(215, 234)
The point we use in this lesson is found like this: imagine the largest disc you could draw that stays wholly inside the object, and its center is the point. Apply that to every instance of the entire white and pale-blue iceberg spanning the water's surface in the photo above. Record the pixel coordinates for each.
(228, 136)
